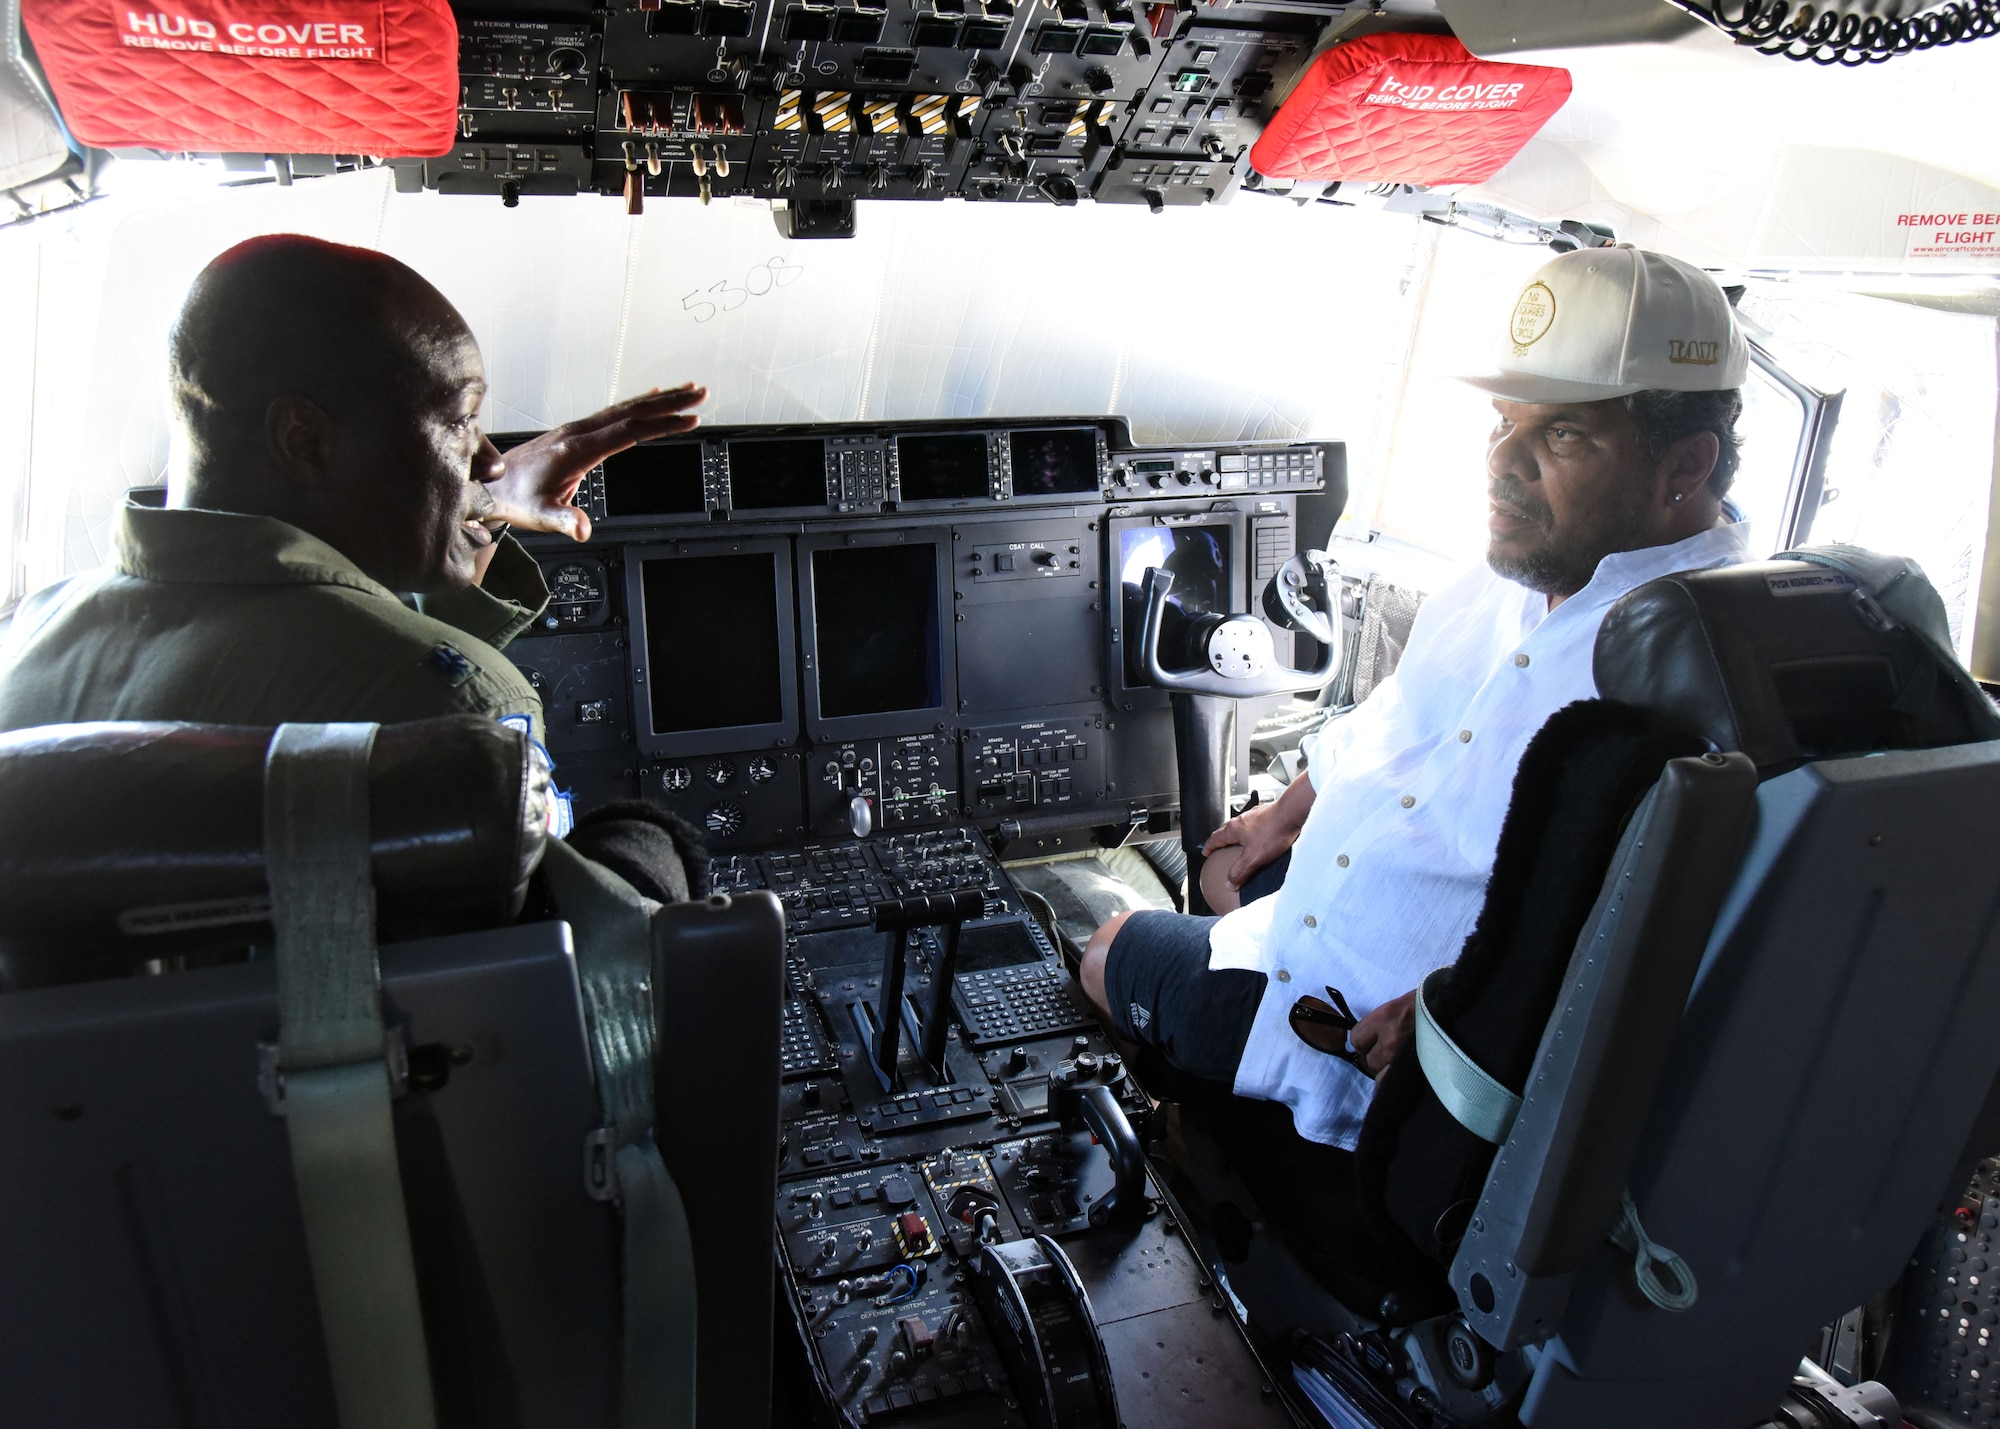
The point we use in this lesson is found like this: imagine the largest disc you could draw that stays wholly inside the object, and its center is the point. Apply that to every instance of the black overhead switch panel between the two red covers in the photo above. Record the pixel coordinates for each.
(821, 105)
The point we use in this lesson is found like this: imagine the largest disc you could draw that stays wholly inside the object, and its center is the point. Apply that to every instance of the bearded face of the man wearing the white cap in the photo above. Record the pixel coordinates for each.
(1567, 487)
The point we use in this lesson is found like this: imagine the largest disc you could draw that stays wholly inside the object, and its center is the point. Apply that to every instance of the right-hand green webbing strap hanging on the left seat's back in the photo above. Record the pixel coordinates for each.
(613, 930)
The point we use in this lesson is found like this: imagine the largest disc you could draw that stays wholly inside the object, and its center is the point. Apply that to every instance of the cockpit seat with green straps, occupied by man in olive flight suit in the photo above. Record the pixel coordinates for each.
(321, 1114)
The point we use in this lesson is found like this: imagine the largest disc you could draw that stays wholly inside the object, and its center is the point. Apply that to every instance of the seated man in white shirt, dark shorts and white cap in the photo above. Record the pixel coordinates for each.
(1617, 401)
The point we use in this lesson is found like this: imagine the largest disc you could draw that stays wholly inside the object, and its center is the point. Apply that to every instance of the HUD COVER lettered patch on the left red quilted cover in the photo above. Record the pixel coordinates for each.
(257, 29)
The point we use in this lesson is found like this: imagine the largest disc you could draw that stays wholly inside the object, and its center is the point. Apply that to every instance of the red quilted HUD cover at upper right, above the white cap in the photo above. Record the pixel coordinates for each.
(1407, 109)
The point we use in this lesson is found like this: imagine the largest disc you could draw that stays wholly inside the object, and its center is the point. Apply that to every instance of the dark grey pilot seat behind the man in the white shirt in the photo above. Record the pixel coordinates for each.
(1715, 1056)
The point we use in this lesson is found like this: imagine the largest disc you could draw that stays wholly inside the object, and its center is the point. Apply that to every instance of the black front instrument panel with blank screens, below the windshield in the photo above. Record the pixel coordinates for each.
(855, 631)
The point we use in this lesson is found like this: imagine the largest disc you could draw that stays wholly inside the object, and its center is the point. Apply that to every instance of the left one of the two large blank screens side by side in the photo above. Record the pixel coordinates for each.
(713, 647)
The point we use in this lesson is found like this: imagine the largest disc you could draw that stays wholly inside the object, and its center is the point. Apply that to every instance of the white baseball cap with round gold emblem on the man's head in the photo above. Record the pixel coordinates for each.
(1615, 321)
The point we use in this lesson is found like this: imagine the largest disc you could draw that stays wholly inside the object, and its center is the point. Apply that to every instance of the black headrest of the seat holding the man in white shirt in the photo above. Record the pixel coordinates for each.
(1789, 659)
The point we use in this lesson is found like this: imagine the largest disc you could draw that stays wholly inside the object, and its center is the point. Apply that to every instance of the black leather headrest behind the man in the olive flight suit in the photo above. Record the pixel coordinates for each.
(131, 842)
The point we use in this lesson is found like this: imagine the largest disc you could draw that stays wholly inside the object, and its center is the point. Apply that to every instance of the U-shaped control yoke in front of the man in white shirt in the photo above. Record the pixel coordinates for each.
(1237, 655)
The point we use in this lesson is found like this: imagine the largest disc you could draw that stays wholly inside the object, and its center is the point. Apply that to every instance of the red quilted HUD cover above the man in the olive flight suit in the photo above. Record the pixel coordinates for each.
(253, 77)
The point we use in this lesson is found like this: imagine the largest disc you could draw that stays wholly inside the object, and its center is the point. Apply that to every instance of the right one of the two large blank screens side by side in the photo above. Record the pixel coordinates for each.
(875, 617)
